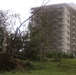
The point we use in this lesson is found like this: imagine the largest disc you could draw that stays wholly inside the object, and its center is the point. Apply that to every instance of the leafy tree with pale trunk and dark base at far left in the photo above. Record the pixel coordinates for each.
(5, 38)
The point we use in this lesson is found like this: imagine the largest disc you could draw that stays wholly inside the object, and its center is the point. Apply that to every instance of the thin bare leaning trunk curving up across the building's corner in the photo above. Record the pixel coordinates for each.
(16, 32)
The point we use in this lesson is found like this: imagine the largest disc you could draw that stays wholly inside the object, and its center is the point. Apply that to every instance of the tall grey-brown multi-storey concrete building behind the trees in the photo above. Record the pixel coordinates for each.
(60, 23)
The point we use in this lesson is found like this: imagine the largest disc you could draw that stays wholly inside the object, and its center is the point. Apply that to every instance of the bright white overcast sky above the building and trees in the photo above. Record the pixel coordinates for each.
(23, 6)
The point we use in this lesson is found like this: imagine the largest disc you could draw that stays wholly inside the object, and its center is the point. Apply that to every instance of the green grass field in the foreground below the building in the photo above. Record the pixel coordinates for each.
(65, 67)
